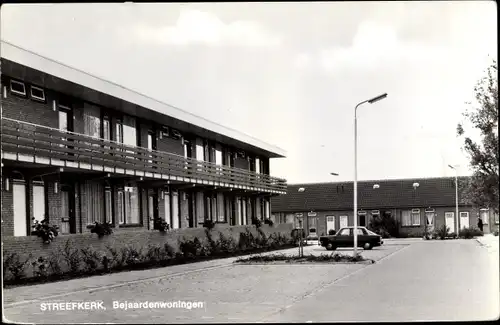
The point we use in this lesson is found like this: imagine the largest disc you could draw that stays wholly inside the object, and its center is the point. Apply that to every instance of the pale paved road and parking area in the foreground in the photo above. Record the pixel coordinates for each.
(412, 280)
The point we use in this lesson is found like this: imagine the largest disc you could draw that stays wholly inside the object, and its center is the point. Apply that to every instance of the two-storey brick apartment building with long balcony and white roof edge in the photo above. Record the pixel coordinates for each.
(77, 149)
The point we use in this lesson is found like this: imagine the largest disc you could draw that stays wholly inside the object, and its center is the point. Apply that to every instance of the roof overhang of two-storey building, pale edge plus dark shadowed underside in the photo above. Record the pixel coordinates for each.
(54, 75)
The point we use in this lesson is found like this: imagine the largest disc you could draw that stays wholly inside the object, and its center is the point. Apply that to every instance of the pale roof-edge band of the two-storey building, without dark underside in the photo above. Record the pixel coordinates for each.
(33, 60)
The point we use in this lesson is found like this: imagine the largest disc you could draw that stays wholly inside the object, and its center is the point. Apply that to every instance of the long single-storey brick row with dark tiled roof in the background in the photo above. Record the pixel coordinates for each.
(414, 203)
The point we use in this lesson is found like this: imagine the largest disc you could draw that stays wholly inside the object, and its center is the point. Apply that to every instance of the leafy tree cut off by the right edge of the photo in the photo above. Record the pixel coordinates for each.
(481, 190)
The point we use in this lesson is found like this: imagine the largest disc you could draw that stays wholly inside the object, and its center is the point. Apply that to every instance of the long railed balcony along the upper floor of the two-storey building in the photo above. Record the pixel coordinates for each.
(39, 144)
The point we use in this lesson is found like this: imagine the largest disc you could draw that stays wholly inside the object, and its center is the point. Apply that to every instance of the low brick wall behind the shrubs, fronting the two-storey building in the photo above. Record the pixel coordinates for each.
(136, 238)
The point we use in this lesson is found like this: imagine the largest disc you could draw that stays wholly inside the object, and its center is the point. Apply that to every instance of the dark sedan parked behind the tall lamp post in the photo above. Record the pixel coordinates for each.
(345, 238)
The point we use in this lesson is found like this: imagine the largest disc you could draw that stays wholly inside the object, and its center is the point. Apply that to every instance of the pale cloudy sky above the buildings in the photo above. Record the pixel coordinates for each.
(291, 74)
